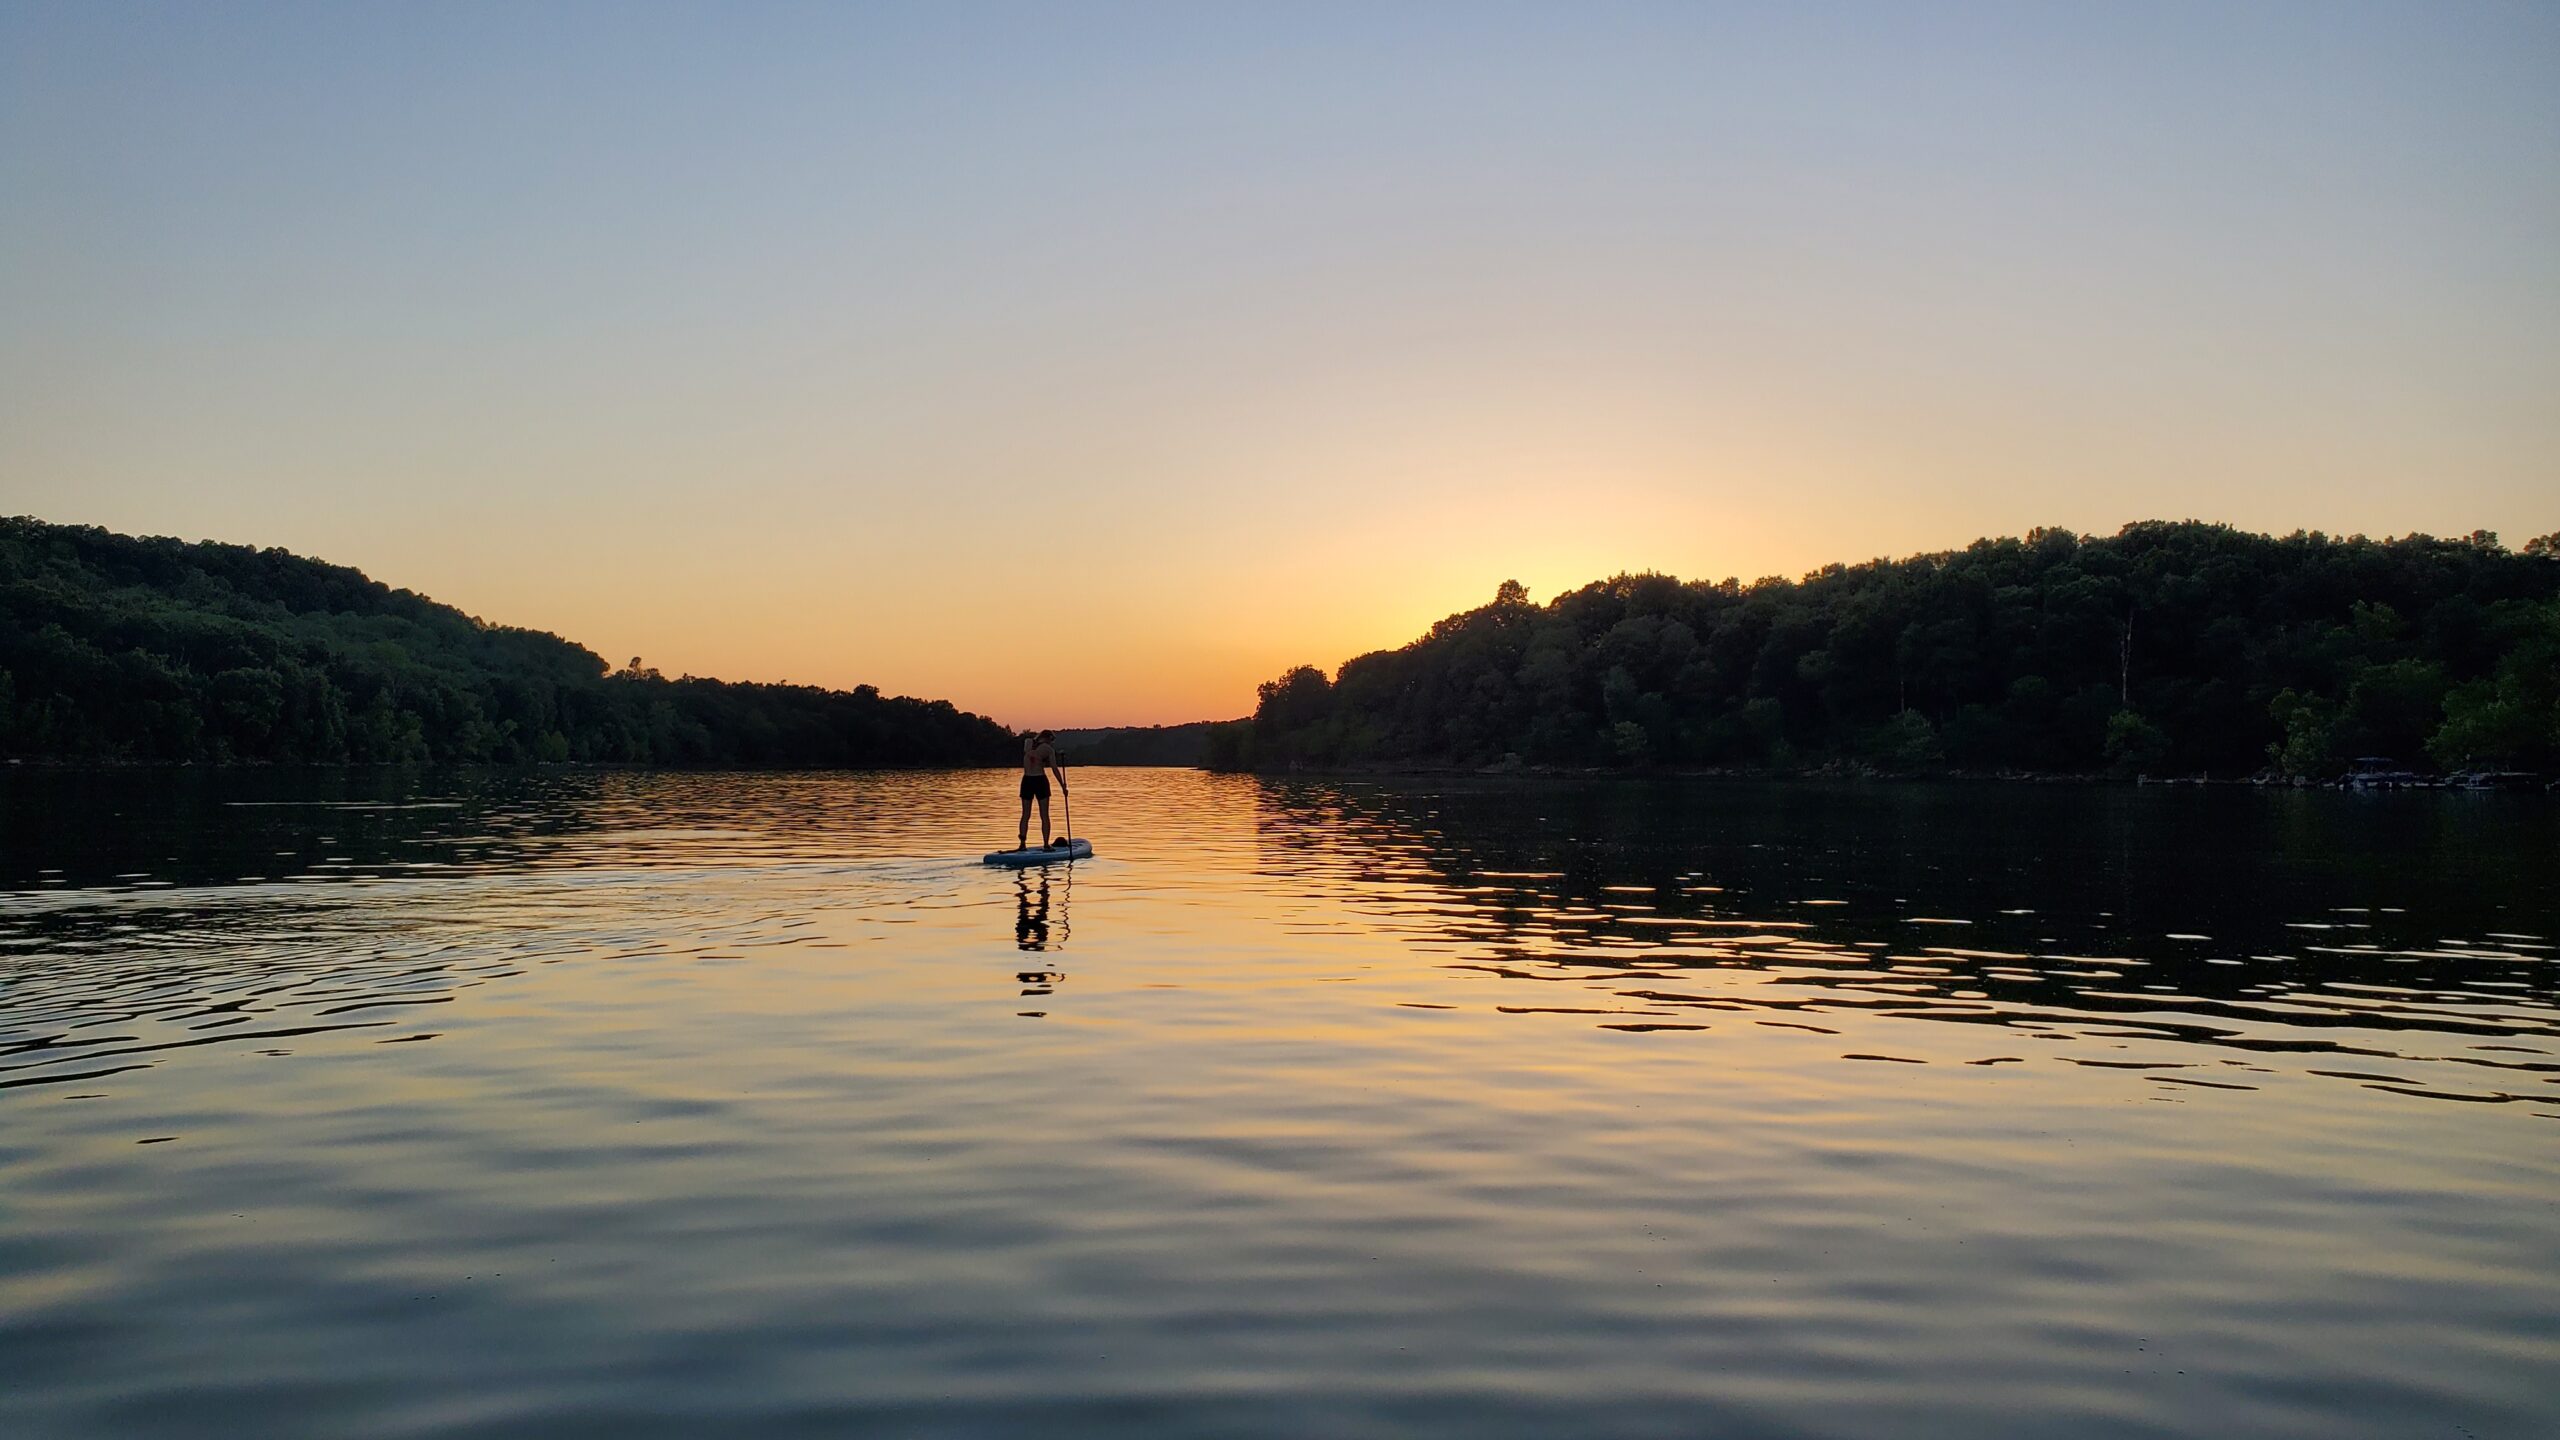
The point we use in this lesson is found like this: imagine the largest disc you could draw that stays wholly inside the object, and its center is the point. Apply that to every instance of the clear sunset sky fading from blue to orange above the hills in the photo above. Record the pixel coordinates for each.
(1097, 363)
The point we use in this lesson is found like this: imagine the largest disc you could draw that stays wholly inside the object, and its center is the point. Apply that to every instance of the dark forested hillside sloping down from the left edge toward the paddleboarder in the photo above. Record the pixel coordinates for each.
(150, 650)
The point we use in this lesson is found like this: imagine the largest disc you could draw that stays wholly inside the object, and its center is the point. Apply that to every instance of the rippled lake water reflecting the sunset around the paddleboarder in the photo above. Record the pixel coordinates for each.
(754, 1106)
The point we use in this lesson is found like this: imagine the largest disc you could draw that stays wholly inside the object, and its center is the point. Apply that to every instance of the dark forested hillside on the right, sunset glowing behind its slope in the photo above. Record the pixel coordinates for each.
(2170, 650)
